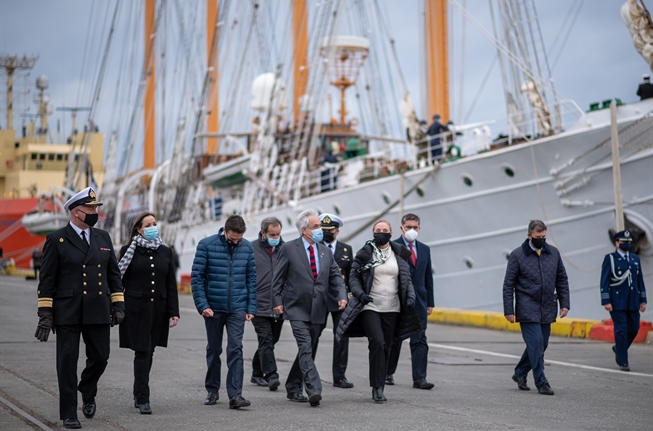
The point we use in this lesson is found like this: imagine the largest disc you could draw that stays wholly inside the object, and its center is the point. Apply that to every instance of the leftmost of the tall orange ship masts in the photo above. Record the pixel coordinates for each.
(149, 160)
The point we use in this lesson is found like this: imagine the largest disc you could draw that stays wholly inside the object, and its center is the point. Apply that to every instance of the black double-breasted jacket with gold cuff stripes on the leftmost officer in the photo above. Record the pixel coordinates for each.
(79, 282)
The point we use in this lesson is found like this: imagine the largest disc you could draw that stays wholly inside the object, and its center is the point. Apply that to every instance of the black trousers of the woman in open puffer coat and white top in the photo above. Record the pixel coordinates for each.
(379, 329)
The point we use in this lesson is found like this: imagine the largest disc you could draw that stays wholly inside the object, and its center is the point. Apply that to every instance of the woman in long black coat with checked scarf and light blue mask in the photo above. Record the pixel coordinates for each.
(151, 303)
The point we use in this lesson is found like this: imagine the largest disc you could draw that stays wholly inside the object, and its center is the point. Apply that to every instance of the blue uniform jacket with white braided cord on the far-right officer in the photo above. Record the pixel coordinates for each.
(622, 282)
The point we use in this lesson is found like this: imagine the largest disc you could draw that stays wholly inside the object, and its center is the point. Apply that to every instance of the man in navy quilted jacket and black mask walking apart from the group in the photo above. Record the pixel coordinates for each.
(536, 281)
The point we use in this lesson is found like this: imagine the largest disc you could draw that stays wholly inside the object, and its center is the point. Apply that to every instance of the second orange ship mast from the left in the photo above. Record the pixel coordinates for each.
(213, 100)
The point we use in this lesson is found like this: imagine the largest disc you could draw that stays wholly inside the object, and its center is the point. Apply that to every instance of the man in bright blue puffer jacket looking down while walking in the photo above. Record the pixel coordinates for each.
(224, 290)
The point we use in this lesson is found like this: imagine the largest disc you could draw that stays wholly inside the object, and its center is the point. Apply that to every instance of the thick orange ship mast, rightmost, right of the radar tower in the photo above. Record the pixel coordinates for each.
(436, 46)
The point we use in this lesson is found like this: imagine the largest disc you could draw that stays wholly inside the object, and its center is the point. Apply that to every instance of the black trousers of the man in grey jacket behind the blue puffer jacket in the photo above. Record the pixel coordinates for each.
(268, 331)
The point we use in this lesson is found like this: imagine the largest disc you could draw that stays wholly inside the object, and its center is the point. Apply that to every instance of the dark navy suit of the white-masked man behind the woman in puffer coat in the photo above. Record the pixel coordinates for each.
(422, 278)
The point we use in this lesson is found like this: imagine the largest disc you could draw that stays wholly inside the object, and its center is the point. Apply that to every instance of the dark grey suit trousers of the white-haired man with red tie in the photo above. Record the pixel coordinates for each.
(303, 370)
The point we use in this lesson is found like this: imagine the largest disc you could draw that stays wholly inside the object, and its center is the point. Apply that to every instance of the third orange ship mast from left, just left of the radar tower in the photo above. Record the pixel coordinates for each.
(300, 58)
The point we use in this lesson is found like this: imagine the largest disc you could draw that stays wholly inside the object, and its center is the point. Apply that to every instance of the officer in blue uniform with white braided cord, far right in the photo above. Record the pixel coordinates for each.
(623, 294)
